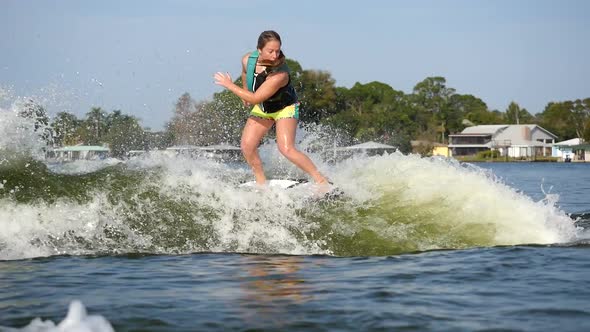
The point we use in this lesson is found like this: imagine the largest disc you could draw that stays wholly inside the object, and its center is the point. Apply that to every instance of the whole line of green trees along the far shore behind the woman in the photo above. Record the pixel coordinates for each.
(372, 111)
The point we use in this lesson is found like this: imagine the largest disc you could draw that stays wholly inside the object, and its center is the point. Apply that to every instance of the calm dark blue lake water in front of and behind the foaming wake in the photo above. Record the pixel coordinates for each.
(509, 288)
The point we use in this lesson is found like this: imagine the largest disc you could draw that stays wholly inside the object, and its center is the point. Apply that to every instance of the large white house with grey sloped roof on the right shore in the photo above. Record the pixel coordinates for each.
(517, 141)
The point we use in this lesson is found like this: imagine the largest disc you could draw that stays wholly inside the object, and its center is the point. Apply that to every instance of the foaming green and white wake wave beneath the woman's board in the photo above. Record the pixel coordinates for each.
(168, 204)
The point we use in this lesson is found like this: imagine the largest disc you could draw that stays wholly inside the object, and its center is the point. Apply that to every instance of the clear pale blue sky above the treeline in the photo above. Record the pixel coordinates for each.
(140, 56)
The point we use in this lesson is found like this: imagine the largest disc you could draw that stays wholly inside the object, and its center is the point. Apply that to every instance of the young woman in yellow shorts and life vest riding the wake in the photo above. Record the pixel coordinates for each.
(267, 86)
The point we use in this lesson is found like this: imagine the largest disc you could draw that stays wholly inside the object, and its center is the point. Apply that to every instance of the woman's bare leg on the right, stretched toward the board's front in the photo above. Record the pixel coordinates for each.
(286, 141)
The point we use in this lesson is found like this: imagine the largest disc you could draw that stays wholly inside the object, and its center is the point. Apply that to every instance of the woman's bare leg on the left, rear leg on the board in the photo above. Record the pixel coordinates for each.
(253, 132)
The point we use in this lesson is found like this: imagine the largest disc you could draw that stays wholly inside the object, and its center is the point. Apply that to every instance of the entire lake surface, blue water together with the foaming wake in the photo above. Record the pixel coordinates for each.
(170, 244)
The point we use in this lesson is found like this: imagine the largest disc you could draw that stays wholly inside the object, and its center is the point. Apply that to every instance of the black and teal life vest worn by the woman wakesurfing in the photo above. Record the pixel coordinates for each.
(284, 97)
